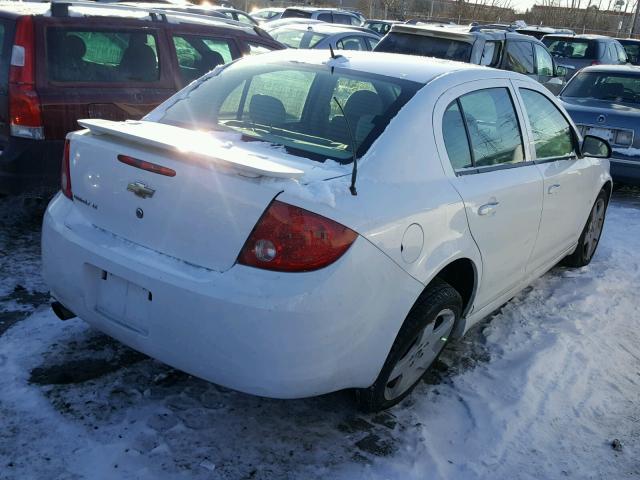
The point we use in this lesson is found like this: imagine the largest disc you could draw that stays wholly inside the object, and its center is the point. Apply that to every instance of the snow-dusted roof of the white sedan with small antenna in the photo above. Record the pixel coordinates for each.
(406, 67)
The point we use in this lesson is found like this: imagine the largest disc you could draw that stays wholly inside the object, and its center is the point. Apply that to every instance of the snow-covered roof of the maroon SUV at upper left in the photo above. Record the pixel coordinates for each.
(142, 12)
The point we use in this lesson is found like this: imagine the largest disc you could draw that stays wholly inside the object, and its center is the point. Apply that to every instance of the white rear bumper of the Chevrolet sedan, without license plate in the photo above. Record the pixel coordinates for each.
(264, 333)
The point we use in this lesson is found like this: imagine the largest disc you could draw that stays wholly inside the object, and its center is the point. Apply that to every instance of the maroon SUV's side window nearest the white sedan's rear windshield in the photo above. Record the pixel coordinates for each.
(199, 55)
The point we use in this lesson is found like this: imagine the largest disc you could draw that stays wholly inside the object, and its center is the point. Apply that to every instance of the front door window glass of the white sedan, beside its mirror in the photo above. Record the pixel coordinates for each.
(551, 132)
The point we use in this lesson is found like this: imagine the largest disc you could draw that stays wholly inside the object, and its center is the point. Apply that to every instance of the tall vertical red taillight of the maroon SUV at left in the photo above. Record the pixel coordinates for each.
(25, 117)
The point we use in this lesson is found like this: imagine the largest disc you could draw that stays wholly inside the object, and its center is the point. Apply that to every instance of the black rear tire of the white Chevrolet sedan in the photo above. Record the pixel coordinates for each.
(437, 298)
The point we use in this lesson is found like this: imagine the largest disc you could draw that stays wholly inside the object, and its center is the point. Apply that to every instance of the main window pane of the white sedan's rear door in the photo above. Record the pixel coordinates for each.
(492, 126)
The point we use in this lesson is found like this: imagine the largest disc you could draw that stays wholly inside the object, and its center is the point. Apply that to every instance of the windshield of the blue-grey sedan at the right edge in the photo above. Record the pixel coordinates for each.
(605, 86)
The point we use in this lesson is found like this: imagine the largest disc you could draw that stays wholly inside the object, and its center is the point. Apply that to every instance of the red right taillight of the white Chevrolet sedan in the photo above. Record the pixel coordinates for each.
(291, 239)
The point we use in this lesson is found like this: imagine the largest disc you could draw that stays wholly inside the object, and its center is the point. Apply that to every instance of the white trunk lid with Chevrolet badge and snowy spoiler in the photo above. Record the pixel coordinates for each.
(203, 213)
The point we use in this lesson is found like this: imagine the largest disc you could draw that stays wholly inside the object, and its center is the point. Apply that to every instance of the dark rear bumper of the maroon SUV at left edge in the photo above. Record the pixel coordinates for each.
(30, 165)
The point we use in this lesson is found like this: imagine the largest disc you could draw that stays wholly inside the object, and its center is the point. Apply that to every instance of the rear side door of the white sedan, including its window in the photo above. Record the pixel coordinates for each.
(484, 149)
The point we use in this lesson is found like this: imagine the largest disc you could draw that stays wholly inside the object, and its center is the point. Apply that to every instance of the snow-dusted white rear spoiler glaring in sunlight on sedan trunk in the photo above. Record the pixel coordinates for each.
(187, 142)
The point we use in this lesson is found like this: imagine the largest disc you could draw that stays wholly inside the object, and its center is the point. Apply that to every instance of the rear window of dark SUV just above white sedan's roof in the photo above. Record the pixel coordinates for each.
(424, 46)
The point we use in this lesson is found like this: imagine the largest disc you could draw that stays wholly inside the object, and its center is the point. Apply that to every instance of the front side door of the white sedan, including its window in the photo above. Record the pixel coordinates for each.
(567, 178)
